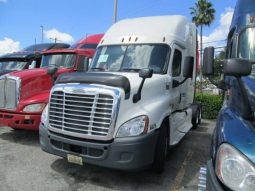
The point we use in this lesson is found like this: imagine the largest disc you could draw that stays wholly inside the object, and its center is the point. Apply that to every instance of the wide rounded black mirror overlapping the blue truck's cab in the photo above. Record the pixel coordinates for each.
(237, 67)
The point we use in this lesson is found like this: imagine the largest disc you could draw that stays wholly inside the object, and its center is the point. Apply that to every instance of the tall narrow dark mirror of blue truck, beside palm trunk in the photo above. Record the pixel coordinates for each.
(208, 61)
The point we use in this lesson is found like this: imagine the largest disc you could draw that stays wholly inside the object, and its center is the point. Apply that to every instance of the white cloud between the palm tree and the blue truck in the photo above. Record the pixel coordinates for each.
(220, 33)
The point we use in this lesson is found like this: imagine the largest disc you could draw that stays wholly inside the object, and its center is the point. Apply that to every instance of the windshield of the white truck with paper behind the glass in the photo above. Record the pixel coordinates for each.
(131, 58)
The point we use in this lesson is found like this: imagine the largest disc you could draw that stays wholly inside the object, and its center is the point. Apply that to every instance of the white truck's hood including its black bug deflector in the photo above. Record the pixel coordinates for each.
(156, 96)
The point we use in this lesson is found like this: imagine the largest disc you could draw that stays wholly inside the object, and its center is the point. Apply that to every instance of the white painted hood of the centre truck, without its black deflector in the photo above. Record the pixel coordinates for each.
(155, 102)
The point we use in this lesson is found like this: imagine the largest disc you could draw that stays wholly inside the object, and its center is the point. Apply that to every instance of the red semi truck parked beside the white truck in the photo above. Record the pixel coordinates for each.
(24, 94)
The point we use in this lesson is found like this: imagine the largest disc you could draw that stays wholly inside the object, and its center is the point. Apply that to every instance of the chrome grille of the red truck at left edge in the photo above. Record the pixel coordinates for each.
(9, 92)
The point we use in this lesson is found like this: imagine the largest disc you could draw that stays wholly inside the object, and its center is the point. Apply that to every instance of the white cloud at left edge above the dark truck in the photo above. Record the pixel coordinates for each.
(8, 45)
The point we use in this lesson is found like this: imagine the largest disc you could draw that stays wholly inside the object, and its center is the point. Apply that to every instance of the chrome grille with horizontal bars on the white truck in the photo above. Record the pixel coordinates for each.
(89, 114)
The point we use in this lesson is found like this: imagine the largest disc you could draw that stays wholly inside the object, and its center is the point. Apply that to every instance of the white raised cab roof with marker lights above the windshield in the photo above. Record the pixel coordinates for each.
(155, 29)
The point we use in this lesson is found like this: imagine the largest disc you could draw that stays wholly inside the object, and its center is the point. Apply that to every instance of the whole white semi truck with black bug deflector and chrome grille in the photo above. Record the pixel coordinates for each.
(134, 103)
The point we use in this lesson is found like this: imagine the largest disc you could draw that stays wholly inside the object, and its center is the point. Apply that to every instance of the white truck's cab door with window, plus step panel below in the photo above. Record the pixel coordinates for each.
(179, 122)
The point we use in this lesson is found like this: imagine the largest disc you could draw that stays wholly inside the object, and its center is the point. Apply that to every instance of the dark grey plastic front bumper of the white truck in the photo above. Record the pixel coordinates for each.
(134, 153)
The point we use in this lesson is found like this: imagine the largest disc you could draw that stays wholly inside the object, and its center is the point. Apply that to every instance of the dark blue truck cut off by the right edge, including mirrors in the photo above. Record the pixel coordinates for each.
(232, 158)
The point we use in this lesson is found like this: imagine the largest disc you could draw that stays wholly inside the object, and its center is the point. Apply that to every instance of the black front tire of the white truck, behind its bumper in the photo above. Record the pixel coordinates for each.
(160, 150)
